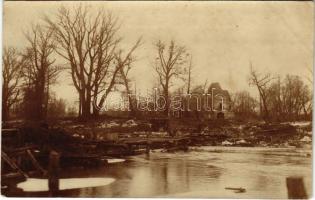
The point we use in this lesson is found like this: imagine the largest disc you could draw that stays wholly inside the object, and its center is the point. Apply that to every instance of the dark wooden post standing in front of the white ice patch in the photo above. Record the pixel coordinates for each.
(53, 180)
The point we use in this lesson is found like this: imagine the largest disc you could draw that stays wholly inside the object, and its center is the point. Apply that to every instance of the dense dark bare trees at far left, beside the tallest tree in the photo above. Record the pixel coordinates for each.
(29, 73)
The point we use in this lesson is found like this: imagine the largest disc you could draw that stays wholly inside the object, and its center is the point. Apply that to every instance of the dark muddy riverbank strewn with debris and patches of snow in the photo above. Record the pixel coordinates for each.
(124, 137)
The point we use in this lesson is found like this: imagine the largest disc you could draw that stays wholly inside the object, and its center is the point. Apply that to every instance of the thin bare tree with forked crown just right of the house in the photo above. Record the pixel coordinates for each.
(261, 81)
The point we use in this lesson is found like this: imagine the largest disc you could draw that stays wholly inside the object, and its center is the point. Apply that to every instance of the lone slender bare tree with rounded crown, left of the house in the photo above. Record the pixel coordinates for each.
(169, 66)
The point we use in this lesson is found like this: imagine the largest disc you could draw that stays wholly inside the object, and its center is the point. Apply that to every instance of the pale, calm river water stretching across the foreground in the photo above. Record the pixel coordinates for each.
(201, 172)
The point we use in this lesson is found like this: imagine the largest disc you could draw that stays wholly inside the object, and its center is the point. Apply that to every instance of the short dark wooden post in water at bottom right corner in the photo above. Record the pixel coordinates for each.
(296, 189)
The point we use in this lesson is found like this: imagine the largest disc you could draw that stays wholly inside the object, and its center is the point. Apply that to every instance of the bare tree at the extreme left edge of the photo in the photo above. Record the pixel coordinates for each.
(11, 79)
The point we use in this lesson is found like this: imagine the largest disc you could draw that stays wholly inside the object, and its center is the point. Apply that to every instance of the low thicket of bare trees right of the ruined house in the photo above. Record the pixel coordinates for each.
(286, 99)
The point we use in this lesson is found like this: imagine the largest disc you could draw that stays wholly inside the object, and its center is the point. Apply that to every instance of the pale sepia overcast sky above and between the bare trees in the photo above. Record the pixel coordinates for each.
(223, 37)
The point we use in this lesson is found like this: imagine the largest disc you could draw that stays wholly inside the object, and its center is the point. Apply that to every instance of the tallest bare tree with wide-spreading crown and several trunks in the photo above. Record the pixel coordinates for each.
(89, 43)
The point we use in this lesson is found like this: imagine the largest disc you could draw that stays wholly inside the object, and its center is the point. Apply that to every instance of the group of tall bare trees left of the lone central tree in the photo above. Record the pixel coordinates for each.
(90, 45)
